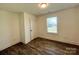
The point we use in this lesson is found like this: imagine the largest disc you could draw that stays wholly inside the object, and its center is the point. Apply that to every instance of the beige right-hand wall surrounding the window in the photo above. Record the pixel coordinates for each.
(68, 26)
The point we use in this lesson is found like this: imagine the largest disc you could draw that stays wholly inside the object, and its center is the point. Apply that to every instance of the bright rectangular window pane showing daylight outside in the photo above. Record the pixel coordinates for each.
(52, 25)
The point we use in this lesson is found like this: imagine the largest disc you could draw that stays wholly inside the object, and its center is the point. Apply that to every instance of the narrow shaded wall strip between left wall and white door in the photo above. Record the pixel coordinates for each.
(22, 29)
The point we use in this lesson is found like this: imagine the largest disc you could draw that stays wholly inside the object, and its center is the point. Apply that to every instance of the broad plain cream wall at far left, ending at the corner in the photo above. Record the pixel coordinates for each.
(9, 29)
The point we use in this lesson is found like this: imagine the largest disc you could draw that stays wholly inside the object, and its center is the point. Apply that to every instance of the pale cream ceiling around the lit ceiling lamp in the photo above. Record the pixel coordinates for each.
(34, 8)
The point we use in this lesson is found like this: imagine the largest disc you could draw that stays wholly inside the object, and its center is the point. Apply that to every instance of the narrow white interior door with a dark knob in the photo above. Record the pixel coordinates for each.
(27, 28)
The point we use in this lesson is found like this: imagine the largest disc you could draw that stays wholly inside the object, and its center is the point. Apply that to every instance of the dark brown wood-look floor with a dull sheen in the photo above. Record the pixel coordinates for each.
(41, 47)
